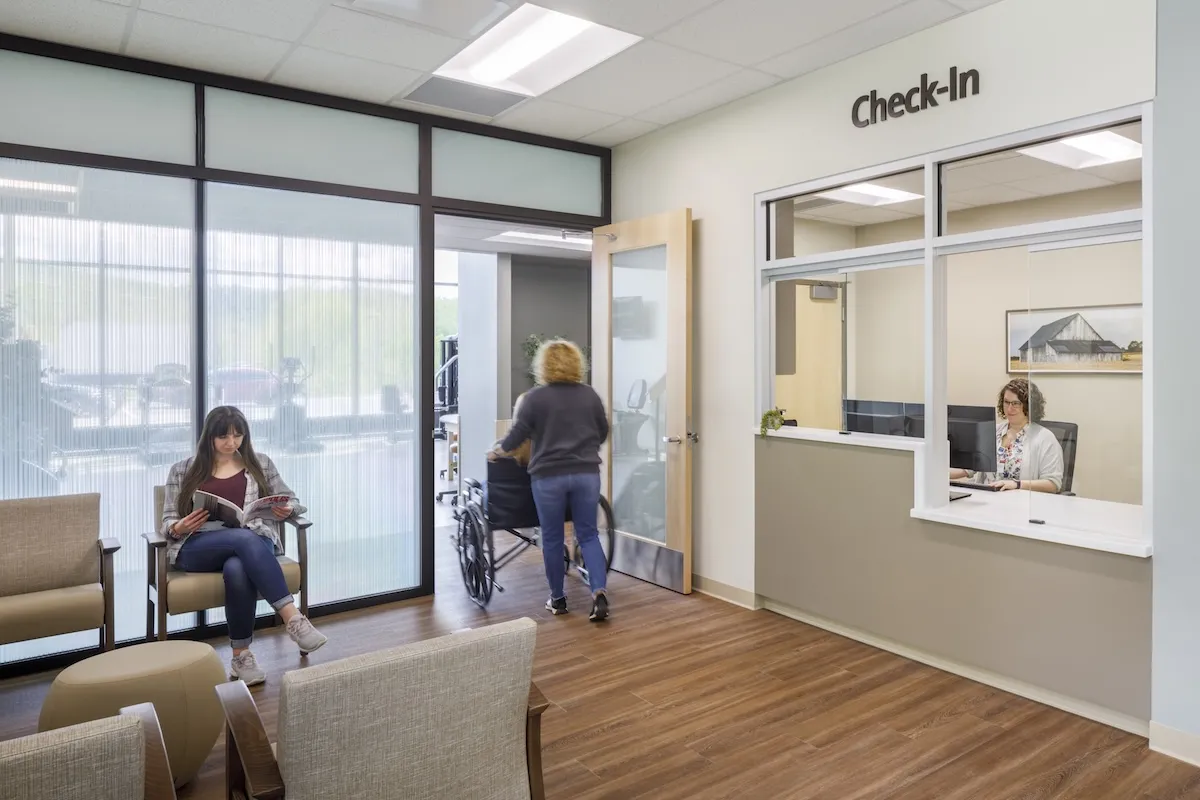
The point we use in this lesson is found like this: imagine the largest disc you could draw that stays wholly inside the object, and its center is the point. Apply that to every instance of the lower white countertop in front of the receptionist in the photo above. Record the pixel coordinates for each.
(1079, 522)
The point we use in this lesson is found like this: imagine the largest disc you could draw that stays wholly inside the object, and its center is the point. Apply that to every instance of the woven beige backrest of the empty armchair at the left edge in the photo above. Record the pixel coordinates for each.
(50, 544)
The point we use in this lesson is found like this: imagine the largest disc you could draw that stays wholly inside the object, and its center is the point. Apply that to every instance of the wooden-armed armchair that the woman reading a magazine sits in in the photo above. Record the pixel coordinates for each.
(175, 592)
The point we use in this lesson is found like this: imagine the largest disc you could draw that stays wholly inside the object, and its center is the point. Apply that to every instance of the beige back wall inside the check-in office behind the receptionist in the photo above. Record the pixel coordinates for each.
(886, 315)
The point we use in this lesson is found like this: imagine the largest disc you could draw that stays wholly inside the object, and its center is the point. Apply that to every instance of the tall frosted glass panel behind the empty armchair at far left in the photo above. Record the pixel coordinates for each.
(97, 299)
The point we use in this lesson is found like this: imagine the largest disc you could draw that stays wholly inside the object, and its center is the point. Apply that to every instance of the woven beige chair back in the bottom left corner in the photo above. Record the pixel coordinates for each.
(95, 761)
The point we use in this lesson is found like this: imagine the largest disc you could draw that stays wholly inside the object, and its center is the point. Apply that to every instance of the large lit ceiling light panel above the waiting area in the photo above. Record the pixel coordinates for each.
(535, 50)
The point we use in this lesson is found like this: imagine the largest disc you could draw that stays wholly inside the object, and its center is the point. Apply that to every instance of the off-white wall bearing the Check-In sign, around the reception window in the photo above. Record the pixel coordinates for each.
(1040, 61)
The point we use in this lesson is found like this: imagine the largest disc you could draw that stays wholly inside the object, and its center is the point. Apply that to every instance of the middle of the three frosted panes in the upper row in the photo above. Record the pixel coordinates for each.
(275, 137)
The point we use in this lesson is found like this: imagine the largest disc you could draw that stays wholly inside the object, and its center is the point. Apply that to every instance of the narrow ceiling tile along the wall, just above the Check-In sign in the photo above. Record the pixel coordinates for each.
(877, 32)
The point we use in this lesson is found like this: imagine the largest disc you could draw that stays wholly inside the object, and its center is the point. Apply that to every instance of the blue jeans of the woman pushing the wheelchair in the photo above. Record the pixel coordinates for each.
(554, 496)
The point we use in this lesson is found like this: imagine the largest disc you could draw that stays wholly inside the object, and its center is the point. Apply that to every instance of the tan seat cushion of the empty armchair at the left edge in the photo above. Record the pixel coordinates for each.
(52, 612)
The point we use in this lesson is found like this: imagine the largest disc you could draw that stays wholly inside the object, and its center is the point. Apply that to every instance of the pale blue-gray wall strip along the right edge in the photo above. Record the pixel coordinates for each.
(1175, 340)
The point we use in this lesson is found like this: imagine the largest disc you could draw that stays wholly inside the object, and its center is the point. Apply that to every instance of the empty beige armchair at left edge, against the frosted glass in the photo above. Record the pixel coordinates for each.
(56, 574)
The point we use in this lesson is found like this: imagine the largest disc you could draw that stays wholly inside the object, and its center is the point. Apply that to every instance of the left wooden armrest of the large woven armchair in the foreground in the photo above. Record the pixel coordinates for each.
(249, 756)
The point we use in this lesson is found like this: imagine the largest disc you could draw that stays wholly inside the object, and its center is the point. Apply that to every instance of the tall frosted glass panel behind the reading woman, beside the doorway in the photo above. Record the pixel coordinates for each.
(311, 333)
